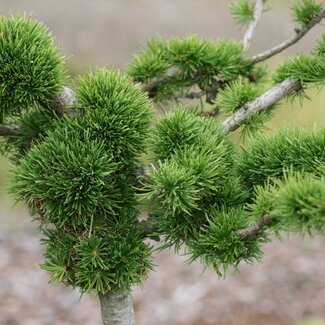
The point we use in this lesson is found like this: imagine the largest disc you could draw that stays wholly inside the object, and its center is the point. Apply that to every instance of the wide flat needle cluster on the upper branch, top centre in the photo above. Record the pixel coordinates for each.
(198, 61)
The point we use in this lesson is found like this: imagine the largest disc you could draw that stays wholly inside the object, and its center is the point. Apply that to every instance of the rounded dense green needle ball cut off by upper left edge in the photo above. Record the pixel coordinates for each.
(31, 69)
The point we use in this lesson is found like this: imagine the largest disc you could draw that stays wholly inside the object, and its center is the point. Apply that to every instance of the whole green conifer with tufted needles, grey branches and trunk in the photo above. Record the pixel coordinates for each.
(90, 163)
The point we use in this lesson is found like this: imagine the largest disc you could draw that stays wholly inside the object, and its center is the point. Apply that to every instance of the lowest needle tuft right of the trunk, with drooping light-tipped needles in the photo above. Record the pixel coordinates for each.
(220, 246)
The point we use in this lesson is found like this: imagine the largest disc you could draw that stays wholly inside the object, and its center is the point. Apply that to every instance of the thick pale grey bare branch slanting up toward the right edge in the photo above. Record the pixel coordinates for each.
(261, 103)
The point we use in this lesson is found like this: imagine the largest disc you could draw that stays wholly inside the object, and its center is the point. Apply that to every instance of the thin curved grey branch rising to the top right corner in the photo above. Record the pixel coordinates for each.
(294, 39)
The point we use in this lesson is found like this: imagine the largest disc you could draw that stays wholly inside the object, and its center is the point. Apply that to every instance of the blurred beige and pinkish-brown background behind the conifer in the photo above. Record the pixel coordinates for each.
(287, 288)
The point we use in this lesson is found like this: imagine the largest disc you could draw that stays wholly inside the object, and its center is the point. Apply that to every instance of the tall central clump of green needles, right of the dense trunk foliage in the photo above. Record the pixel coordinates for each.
(196, 157)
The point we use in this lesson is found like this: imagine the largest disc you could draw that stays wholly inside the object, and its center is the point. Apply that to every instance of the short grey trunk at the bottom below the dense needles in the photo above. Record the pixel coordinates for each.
(116, 309)
